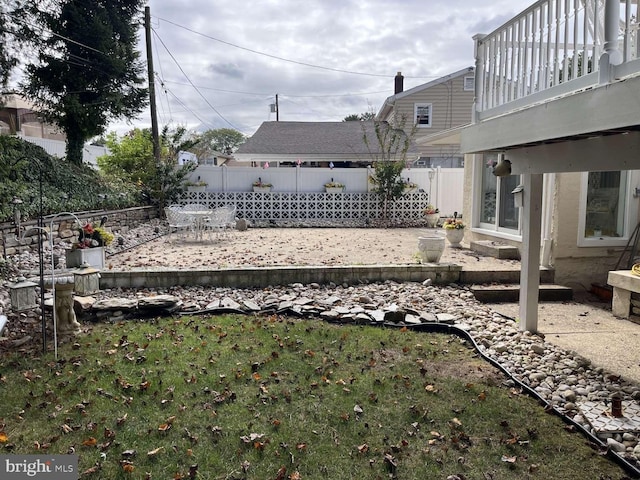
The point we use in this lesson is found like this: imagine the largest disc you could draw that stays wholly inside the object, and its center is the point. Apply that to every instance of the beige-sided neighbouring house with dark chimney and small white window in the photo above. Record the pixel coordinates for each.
(430, 108)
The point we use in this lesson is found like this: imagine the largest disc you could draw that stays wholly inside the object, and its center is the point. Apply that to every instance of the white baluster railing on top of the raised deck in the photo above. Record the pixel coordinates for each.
(551, 49)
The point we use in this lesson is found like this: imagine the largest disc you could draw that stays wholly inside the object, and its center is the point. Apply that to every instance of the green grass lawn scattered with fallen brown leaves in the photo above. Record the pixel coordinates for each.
(234, 397)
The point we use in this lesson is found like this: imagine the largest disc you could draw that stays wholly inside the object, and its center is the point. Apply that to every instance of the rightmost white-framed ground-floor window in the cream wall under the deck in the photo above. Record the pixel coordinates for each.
(606, 214)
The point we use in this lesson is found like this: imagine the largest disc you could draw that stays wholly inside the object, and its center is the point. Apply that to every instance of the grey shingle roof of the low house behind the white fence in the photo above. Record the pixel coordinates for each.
(313, 139)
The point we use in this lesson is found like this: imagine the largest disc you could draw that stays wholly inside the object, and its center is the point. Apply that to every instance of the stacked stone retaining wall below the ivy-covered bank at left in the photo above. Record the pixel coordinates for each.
(61, 227)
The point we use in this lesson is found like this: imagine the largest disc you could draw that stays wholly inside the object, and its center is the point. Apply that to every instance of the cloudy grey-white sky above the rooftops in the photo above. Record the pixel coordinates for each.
(221, 63)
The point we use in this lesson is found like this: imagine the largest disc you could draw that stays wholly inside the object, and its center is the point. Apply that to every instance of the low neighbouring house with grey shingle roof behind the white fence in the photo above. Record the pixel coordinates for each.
(341, 144)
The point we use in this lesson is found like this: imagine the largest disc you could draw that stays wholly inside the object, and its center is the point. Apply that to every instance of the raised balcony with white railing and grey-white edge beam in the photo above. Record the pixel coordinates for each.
(562, 70)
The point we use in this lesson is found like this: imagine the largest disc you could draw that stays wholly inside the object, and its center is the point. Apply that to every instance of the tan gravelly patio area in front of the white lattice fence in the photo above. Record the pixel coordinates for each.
(262, 247)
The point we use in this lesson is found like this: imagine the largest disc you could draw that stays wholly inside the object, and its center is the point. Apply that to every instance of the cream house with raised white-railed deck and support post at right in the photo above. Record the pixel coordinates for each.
(572, 137)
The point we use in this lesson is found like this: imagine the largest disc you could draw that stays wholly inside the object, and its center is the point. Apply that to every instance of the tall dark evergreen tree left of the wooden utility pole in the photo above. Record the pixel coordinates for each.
(88, 71)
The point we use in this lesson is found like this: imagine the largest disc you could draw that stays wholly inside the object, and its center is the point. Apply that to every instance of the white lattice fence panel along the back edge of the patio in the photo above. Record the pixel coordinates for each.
(310, 207)
